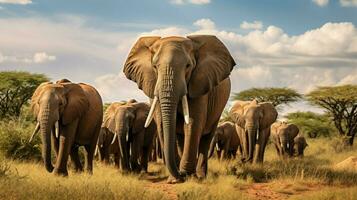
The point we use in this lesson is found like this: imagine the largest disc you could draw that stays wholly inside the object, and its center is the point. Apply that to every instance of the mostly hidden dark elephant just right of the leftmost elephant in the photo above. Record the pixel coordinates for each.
(106, 148)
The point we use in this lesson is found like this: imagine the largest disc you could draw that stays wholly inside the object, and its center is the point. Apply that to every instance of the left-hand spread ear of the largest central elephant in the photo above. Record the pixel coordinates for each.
(138, 66)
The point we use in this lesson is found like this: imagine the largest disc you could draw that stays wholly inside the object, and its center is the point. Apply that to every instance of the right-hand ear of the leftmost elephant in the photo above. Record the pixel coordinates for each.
(77, 102)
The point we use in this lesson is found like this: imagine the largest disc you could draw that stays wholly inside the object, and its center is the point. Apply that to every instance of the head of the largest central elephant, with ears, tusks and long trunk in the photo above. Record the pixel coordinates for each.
(171, 71)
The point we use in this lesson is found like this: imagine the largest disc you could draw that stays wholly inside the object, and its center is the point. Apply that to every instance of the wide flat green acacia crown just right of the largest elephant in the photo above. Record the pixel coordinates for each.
(277, 96)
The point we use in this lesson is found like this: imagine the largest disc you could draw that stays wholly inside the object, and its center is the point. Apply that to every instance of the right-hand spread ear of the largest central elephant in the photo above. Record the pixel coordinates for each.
(214, 63)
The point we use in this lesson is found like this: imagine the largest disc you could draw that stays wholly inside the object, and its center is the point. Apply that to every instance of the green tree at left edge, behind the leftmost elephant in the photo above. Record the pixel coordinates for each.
(16, 89)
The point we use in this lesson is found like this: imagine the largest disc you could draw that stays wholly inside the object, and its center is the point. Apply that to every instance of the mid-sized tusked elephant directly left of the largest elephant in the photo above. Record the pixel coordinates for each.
(124, 124)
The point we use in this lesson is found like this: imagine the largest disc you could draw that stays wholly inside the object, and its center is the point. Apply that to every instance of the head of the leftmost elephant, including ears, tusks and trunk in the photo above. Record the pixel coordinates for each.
(54, 105)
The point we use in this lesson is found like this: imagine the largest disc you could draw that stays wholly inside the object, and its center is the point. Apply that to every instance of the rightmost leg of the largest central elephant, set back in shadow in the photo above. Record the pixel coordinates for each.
(202, 163)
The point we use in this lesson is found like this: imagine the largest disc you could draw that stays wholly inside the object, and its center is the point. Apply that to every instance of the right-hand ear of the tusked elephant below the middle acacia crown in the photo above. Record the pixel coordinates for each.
(269, 115)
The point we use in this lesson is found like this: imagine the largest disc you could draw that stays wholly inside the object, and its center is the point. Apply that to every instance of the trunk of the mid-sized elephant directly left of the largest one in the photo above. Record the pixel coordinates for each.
(122, 130)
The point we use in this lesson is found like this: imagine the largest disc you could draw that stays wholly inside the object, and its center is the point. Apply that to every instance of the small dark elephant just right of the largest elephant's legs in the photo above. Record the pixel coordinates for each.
(226, 140)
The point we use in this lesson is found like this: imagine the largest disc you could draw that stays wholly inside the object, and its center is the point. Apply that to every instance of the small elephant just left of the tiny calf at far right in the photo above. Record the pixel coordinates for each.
(283, 135)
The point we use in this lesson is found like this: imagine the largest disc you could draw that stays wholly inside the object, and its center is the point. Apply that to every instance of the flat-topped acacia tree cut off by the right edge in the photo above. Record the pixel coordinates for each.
(341, 103)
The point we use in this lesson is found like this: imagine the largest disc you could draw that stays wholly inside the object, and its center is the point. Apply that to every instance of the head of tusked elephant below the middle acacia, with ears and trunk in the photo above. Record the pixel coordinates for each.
(253, 117)
